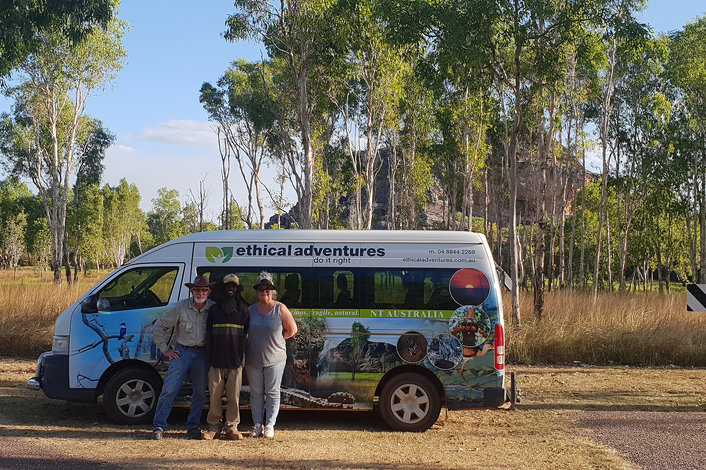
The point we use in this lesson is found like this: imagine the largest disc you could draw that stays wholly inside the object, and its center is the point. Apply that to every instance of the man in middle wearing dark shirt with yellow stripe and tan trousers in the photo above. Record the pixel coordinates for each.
(226, 329)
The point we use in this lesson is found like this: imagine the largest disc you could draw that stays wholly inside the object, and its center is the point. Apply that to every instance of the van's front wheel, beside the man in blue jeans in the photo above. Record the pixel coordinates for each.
(130, 396)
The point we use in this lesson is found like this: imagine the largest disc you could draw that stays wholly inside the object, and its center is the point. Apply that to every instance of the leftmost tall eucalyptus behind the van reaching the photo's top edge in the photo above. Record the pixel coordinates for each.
(297, 31)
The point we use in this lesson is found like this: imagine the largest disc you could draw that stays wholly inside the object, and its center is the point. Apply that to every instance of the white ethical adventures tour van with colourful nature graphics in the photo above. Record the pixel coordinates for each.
(402, 322)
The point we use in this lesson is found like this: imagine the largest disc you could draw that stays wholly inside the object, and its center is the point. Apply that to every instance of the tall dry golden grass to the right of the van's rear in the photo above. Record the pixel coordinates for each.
(638, 329)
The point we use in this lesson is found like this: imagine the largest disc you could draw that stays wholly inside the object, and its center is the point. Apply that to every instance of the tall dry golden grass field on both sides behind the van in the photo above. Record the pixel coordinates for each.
(637, 329)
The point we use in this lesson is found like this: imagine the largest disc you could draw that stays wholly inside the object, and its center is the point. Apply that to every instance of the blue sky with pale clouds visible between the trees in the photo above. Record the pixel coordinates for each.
(173, 46)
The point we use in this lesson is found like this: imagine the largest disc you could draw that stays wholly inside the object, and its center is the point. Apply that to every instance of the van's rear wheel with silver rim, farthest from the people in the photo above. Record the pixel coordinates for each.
(410, 402)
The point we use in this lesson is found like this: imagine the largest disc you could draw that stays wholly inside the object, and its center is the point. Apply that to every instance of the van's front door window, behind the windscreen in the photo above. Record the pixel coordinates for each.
(138, 288)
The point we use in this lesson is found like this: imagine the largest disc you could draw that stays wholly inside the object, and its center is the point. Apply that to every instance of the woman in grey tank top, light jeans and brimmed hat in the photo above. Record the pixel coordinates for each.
(271, 323)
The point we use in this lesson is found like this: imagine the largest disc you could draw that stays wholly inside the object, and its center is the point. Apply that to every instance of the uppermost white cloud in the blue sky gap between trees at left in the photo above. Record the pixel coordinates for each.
(180, 132)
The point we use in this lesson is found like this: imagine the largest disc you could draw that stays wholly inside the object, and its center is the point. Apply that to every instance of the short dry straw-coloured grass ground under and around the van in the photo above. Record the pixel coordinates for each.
(537, 434)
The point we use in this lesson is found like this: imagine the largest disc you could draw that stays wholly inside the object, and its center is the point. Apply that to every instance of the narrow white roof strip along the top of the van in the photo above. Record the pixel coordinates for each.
(323, 236)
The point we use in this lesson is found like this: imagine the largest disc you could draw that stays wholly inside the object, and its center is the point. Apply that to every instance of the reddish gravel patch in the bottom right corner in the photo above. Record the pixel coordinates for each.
(652, 439)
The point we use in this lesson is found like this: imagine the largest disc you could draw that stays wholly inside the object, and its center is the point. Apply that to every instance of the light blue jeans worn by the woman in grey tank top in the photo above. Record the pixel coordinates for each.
(264, 392)
